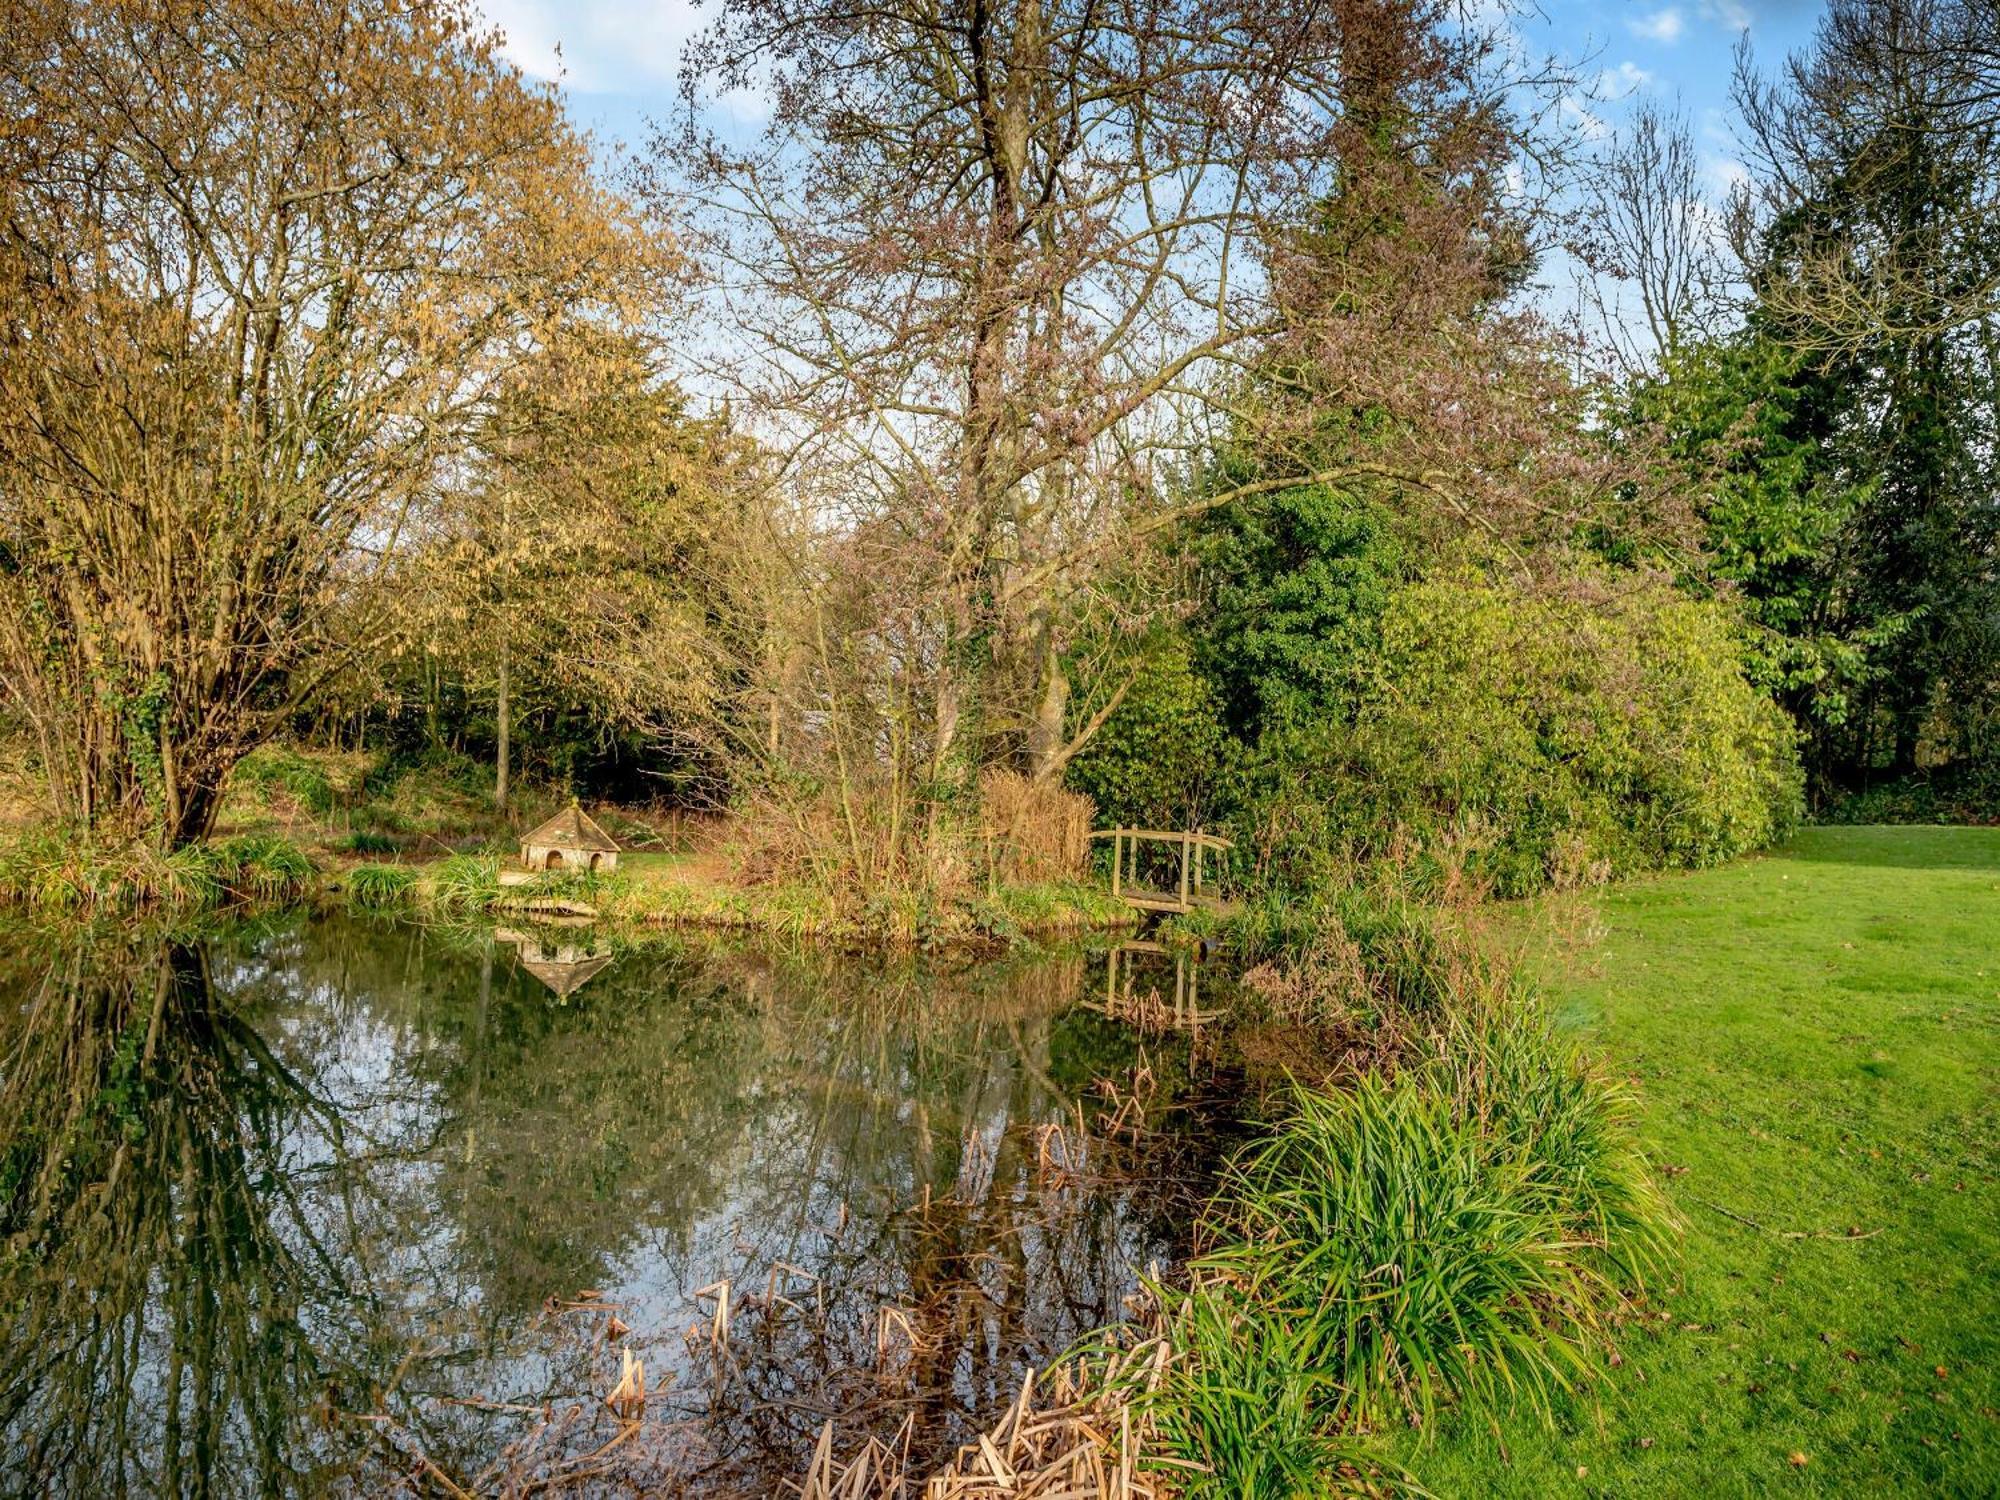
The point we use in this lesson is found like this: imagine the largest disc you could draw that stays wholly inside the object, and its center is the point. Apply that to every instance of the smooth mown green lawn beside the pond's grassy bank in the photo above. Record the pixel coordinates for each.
(1815, 1039)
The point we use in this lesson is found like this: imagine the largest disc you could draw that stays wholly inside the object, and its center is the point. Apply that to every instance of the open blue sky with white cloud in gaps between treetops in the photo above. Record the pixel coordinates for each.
(617, 59)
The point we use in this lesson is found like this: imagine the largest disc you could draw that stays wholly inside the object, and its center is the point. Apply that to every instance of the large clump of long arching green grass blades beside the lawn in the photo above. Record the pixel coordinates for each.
(1459, 1233)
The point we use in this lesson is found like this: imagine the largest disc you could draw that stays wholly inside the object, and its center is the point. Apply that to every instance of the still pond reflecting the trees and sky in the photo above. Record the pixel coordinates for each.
(317, 1205)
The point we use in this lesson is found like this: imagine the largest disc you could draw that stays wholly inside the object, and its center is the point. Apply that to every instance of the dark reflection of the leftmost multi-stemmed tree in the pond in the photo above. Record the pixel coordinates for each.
(157, 1253)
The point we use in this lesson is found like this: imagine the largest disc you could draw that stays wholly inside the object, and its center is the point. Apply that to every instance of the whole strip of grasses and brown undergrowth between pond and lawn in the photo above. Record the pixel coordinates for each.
(1459, 1223)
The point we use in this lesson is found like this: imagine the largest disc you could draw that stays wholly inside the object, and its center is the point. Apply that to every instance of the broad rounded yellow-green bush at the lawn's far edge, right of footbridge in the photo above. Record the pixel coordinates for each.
(1533, 739)
